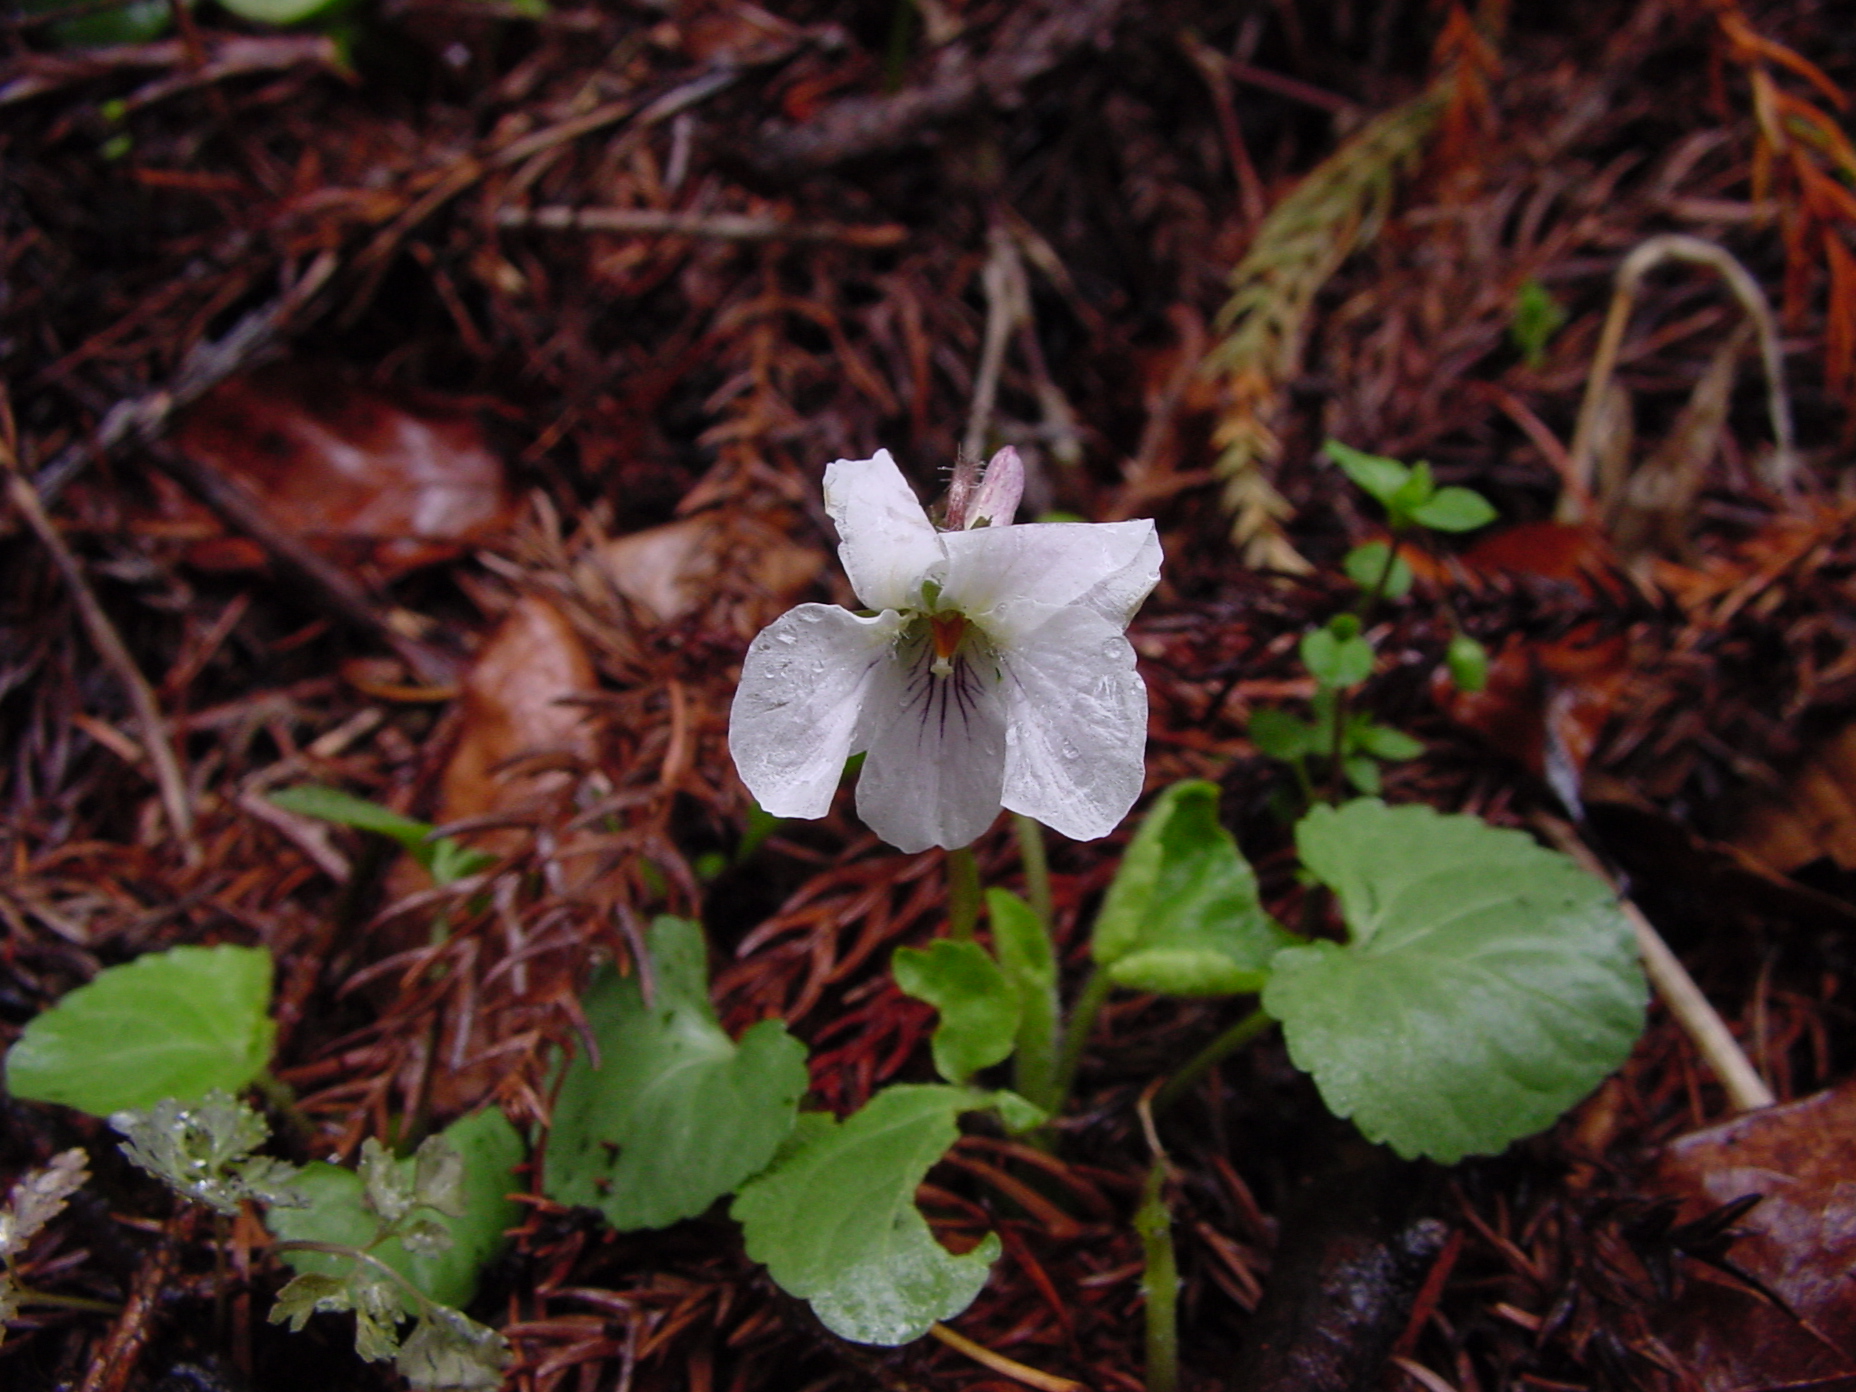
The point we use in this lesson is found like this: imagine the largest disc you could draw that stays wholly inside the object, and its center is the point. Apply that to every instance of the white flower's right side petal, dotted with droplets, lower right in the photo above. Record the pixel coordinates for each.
(1077, 725)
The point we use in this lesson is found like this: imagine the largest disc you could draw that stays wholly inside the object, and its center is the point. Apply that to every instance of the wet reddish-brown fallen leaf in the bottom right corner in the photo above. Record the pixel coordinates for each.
(1799, 1243)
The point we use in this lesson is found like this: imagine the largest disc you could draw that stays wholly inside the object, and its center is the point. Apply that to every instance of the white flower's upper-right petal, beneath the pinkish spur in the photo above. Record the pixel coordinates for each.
(1011, 578)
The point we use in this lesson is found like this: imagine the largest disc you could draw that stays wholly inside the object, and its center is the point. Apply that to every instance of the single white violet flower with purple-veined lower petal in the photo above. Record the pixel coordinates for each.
(994, 669)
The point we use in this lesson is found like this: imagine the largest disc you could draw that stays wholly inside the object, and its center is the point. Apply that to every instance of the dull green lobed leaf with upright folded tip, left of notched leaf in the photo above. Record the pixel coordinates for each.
(675, 1115)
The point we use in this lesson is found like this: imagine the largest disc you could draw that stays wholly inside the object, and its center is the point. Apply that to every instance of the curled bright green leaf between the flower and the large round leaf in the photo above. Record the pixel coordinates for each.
(1183, 916)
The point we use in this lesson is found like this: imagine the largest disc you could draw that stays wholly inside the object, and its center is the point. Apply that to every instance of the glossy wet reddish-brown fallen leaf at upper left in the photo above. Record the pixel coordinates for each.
(372, 480)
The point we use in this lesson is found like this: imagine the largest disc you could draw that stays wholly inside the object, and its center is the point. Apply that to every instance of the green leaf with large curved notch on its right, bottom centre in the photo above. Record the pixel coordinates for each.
(836, 1222)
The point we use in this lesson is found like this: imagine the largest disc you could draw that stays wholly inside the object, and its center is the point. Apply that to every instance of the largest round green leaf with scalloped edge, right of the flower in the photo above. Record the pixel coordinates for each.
(1488, 983)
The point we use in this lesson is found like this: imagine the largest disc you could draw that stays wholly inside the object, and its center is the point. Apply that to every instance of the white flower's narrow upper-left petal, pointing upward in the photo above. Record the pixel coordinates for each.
(886, 541)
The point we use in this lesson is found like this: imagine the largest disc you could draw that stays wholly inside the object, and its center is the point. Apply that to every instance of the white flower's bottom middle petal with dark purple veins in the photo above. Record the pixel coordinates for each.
(936, 754)
